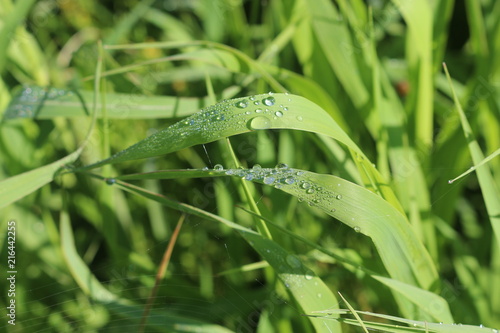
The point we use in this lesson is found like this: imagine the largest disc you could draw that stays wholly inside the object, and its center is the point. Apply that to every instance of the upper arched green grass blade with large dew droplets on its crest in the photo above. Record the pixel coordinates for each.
(242, 115)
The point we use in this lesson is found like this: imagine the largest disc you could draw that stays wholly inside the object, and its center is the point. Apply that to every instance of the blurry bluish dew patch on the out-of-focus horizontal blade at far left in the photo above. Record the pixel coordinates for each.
(29, 100)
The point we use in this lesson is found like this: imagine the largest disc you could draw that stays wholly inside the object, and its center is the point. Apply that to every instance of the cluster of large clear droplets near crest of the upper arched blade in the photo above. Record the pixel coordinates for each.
(261, 107)
